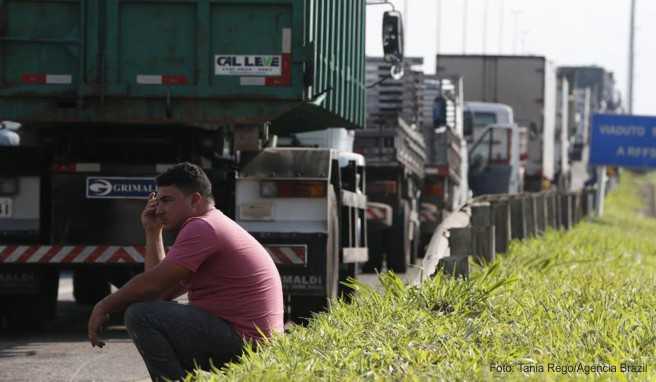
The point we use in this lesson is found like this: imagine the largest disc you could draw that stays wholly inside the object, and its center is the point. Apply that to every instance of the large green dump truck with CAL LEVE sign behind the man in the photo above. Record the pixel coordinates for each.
(107, 102)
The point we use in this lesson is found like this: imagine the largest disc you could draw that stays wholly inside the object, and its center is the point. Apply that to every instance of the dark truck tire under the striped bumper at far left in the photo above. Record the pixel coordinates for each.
(30, 312)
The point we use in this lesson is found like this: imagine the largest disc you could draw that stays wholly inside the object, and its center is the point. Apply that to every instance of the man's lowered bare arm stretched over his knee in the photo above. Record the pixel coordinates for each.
(149, 285)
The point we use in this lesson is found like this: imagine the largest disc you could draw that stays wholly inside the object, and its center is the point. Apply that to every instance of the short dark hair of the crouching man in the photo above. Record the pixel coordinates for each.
(188, 177)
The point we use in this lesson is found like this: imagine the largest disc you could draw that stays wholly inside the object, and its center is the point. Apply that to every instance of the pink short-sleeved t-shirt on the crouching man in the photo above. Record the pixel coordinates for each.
(234, 277)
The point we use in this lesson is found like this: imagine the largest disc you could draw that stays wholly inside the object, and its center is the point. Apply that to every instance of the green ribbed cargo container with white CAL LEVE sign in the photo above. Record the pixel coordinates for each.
(190, 62)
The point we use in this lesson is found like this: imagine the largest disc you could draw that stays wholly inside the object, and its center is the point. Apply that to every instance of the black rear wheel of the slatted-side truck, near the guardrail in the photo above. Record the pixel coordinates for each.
(398, 241)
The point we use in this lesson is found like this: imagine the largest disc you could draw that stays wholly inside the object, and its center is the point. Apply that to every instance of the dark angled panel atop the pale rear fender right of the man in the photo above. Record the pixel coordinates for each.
(289, 163)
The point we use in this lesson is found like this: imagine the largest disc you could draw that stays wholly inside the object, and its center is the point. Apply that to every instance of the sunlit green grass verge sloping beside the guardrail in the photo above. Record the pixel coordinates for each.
(579, 299)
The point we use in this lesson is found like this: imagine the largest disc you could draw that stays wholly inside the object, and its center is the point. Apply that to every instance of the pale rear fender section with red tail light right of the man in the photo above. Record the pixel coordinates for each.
(307, 206)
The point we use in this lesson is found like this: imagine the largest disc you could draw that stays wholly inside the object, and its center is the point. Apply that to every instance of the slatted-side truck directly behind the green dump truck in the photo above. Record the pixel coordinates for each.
(393, 146)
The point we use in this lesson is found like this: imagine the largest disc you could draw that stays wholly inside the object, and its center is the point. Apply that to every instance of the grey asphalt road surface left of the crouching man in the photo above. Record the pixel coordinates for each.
(61, 351)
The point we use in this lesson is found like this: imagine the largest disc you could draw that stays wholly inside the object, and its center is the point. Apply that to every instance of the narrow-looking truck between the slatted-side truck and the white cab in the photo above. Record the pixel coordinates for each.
(446, 185)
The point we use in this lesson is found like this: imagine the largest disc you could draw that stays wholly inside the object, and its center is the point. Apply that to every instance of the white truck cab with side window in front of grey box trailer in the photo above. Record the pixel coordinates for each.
(497, 154)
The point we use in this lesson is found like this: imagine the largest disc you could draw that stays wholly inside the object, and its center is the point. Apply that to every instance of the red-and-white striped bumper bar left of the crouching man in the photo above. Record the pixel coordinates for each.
(79, 254)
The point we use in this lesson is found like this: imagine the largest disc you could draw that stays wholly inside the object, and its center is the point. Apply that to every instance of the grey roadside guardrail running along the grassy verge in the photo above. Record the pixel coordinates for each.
(484, 227)
